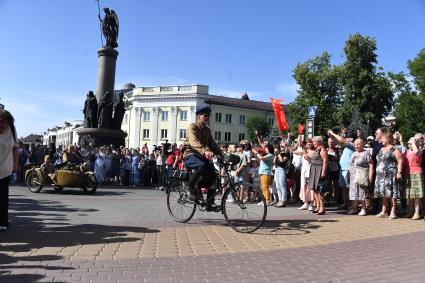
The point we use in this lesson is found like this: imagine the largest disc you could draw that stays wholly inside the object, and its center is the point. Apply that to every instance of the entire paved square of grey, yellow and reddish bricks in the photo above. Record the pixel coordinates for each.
(126, 235)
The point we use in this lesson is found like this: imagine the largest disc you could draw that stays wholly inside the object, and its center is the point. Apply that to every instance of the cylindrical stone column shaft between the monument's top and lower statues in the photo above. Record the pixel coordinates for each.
(106, 72)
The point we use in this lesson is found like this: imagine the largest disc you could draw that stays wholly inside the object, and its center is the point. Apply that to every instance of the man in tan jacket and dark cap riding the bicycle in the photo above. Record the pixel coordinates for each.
(200, 148)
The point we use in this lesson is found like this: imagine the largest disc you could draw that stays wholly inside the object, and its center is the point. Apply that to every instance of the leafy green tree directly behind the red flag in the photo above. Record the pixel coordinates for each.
(319, 85)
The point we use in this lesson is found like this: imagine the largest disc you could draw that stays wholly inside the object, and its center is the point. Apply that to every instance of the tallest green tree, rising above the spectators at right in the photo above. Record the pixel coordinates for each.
(366, 89)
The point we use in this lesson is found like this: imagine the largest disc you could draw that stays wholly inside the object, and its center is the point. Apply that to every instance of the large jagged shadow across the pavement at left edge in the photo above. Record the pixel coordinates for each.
(39, 224)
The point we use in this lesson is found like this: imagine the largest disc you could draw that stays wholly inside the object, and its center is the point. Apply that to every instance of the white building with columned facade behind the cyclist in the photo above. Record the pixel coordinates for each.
(156, 114)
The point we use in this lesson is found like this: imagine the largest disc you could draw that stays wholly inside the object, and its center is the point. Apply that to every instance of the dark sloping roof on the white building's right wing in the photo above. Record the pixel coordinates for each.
(237, 102)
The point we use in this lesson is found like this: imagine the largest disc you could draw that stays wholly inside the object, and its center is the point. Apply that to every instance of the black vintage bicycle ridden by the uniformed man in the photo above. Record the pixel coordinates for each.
(242, 204)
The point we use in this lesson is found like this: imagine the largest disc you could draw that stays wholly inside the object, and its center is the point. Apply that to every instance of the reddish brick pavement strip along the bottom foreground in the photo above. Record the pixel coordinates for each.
(355, 261)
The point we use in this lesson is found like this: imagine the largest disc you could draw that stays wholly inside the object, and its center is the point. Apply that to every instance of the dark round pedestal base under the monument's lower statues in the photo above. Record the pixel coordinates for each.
(99, 137)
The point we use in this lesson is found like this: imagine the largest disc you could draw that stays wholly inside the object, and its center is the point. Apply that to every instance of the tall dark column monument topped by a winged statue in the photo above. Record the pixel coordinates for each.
(103, 118)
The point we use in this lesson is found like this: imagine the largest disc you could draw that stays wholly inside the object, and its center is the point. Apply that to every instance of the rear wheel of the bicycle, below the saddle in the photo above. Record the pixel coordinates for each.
(180, 207)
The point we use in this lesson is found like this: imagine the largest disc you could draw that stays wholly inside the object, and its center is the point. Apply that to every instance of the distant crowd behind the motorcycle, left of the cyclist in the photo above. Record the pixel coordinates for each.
(112, 165)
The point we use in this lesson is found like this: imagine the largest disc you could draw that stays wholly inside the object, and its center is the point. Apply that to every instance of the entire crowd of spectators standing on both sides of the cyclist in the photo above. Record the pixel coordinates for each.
(361, 175)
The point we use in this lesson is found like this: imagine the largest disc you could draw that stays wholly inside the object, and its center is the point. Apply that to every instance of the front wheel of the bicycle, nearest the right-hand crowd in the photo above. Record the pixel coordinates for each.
(244, 207)
